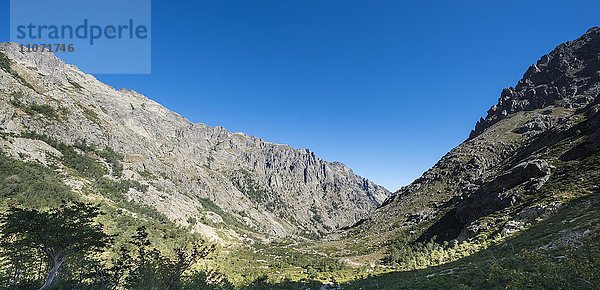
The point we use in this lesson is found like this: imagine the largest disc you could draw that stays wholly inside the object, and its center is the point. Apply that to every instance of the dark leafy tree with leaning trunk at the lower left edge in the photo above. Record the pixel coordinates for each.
(58, 235)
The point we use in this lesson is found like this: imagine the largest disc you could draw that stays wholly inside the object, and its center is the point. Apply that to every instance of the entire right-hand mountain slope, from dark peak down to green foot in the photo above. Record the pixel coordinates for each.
(514, 206)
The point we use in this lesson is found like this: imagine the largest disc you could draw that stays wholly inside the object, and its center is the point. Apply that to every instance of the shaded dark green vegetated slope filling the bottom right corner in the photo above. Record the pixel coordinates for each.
(561, 252)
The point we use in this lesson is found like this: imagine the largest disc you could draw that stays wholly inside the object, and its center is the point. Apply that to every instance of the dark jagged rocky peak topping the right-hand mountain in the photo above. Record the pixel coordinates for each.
(568, 76)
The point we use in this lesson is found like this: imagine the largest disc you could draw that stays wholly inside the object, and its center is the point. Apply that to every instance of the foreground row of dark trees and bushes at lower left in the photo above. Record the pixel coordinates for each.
(64, 248)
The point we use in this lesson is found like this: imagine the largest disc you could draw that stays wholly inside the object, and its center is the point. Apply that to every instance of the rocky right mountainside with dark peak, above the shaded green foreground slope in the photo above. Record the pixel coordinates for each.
(535, 150)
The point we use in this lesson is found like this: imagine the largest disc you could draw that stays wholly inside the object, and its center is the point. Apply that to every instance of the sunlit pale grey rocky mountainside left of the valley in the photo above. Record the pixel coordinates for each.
(189, 171)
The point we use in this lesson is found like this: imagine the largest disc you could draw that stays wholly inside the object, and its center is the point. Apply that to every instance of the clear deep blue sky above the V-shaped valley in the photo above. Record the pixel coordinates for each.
(386, 87)
